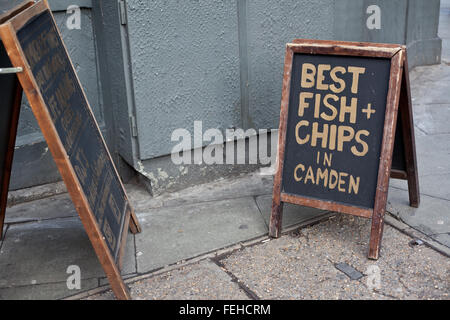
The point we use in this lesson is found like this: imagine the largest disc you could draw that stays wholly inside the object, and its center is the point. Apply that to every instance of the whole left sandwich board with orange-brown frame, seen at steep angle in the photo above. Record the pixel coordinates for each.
(33, 42)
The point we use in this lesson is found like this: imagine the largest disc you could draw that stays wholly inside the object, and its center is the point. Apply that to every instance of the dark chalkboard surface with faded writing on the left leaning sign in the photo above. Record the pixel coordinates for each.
(76, 126)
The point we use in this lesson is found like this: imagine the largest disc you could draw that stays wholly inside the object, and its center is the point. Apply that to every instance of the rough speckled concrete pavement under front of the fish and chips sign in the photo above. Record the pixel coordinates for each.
(302, 265)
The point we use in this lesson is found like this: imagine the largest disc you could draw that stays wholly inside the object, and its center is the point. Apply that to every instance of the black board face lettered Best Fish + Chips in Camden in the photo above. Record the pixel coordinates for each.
(335, 128)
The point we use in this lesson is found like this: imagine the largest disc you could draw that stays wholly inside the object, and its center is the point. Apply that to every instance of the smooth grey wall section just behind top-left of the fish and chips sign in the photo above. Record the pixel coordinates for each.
(272, 24)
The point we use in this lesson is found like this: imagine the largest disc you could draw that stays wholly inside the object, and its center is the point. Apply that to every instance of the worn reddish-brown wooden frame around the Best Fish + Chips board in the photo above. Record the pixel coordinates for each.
(397, 55)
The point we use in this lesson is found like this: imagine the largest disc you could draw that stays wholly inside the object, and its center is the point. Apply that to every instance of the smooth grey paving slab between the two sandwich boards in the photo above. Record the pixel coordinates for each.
(171, 234)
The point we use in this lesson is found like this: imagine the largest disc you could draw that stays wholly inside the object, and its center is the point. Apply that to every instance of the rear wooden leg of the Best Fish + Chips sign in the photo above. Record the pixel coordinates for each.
(406, 116)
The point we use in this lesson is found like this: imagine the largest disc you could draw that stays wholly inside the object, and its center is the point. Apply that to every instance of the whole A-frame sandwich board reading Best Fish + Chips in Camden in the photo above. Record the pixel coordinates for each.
(339, 127)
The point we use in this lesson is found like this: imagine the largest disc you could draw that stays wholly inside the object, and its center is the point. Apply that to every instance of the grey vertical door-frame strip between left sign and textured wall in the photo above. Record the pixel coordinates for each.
(115, 74)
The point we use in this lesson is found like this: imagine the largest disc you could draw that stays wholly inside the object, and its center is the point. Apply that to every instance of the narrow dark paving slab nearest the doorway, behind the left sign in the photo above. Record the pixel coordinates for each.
(59, 206)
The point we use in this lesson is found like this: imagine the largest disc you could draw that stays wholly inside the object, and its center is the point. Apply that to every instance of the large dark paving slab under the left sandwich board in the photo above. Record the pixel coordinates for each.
(40, 253)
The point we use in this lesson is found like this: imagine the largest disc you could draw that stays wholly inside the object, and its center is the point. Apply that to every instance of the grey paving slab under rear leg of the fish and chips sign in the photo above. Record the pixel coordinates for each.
(432, 217)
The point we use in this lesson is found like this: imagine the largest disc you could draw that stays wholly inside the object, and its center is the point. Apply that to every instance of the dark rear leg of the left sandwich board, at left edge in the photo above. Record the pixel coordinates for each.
(10, 155)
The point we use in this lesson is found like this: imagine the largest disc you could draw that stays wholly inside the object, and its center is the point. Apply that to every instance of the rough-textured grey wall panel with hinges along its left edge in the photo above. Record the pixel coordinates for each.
(185, 62)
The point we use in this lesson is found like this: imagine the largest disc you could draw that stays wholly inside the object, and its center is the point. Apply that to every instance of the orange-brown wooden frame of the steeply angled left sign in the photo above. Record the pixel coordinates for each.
(8, 32)
